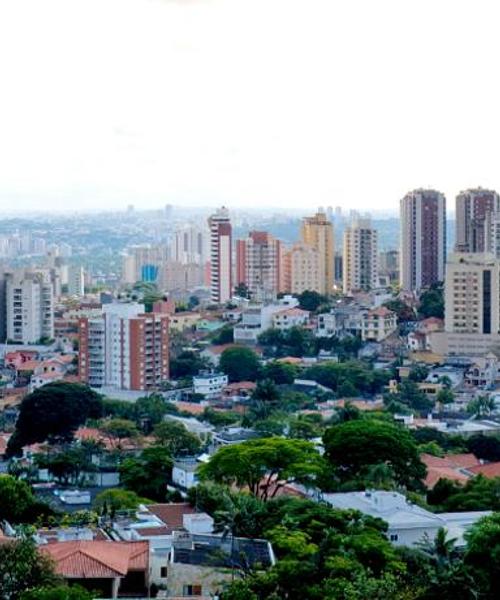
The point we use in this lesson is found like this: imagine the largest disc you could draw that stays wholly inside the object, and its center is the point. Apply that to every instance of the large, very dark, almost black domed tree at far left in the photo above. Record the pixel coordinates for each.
(54, 411)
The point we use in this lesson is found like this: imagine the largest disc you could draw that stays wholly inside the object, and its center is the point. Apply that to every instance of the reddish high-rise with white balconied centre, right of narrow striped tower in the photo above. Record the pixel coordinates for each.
(259, 265)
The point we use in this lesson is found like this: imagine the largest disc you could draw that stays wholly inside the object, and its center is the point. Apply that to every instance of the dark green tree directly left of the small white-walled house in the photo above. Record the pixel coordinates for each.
(148, 474)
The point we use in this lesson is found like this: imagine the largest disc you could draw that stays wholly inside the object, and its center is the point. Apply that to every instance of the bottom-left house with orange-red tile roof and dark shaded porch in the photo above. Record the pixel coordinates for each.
(114, 569)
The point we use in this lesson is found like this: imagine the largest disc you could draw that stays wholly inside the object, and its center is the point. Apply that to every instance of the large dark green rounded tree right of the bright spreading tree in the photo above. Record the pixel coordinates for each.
(354, 446)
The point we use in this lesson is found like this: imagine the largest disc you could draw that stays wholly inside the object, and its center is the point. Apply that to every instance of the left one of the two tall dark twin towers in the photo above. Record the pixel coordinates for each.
(423, 239)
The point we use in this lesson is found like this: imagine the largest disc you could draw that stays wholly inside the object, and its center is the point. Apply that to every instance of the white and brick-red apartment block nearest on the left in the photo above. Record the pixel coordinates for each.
(124, 348)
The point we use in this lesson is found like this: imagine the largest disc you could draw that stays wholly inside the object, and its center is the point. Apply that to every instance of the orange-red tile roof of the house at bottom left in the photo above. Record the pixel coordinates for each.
(96, 559)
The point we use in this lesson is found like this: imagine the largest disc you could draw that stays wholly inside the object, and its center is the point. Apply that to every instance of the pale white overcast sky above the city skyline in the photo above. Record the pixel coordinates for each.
(288, 104)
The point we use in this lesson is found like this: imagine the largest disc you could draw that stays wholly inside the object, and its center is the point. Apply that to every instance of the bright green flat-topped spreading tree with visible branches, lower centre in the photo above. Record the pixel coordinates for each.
(264, 465)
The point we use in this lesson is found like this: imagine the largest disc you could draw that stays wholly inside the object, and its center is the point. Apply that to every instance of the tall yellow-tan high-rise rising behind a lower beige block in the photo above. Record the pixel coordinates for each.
(317, 232)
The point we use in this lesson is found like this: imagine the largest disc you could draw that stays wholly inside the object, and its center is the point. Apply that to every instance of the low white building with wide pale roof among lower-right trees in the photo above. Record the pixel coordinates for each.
(408, 523)
